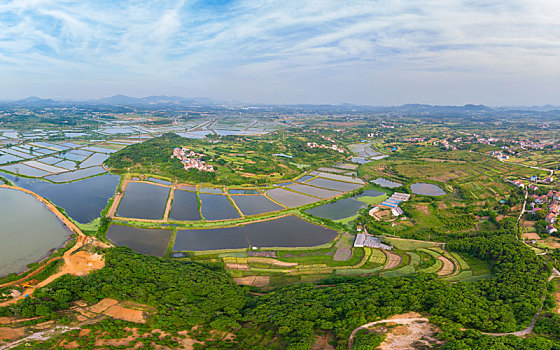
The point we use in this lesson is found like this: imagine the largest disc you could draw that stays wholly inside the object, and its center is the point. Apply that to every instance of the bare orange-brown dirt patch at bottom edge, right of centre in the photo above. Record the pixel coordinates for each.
(410, 336)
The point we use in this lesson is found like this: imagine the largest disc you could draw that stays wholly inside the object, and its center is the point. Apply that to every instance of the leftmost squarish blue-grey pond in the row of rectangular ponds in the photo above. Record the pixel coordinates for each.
(143, 201)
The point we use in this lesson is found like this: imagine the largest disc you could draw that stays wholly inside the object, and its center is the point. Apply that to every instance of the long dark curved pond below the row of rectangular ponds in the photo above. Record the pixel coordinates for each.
(289, 231)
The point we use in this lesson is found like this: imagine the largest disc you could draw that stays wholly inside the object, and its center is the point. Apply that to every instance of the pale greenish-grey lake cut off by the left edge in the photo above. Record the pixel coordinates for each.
(28, 231)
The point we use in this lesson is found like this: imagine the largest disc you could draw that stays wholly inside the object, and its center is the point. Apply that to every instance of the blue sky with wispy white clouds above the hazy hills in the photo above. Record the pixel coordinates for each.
(385, 52)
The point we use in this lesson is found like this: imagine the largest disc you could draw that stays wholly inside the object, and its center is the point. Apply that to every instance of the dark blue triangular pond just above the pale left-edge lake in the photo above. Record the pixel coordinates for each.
(83, 200)
